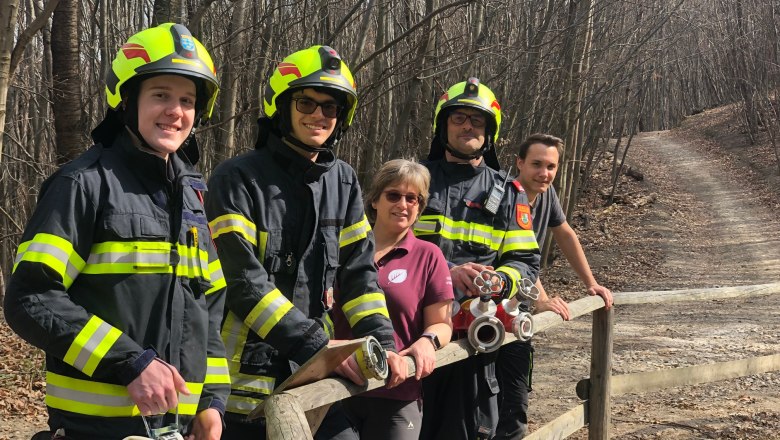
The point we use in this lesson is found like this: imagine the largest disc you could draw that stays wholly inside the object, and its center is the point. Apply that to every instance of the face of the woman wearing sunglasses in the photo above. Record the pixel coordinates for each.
(396, 217)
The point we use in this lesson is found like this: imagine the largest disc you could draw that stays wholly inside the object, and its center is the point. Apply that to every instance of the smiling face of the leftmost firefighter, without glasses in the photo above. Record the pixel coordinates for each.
(166, 112)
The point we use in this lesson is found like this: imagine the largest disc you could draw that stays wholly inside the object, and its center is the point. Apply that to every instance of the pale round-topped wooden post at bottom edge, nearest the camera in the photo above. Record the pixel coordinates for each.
(284, 419)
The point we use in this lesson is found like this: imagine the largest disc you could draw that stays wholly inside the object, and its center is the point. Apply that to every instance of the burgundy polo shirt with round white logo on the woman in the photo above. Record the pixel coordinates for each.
(413, 275)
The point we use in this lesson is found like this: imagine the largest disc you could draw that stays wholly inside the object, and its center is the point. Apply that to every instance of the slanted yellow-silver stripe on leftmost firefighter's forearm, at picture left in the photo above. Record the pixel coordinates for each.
(91, 345)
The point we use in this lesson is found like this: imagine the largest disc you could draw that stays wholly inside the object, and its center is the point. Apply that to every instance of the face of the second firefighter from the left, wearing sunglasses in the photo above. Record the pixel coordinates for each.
(316, 128)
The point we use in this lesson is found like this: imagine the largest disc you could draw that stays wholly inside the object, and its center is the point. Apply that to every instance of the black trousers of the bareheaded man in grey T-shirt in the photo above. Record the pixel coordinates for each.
(514, 368)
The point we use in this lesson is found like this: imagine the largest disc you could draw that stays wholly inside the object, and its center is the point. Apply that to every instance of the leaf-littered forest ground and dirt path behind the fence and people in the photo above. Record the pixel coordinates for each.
(712, 222)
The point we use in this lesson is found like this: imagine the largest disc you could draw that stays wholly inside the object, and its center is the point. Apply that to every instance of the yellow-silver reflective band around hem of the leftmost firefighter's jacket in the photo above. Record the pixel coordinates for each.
(103, 399)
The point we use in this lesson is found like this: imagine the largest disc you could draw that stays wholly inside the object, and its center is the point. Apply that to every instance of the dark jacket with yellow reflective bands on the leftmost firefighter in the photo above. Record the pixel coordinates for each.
(116, 266)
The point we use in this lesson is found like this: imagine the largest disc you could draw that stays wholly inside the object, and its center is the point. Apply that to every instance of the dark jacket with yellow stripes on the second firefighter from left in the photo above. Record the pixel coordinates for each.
(289, 231)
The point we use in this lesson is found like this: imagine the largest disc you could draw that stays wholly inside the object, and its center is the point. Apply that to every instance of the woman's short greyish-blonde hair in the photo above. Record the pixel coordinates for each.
(393, 172)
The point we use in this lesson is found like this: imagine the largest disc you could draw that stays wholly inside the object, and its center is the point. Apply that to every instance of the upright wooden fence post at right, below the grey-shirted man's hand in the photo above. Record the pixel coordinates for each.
(599, 401)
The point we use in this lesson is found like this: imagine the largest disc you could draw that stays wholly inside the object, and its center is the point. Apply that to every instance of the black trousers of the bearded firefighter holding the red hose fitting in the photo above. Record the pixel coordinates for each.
(460, 400)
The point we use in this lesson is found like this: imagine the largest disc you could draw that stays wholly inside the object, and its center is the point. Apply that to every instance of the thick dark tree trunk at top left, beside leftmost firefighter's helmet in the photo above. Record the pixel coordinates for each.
(66, 94)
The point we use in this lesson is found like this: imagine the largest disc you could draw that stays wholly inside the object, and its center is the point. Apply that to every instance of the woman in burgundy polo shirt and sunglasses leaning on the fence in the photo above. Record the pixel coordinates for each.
(416, 281)
